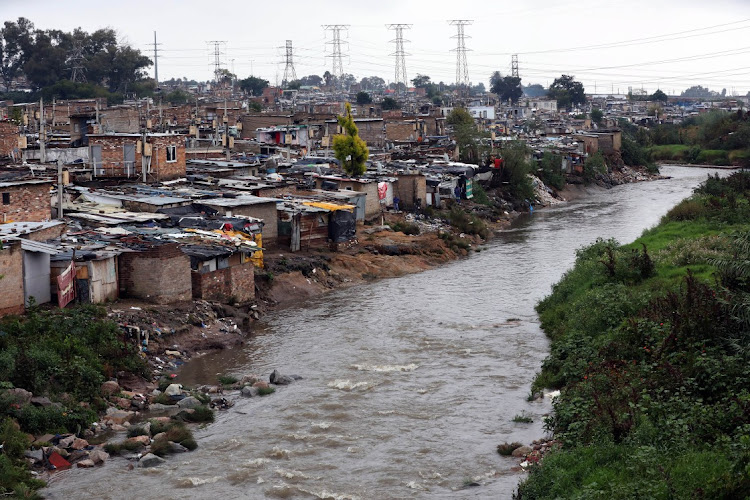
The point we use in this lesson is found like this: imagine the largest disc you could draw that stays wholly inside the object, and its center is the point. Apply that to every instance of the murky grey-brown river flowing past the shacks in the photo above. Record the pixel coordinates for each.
(409, 383)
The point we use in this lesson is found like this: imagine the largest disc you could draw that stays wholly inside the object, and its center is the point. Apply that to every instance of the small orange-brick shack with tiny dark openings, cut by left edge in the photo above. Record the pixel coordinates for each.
(27, 201)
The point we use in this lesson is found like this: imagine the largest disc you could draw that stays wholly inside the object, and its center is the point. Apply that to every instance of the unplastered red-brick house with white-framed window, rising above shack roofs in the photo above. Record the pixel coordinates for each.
(161, 156)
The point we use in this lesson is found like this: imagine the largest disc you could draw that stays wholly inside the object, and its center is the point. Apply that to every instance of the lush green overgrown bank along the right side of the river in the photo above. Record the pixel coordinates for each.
(651, 351)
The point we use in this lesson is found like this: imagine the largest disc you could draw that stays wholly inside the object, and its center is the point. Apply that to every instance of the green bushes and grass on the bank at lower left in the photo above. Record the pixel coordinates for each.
(60, 359)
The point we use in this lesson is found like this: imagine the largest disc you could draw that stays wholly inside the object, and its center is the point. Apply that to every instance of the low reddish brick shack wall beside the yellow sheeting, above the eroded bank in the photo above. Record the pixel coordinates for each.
(236, 282)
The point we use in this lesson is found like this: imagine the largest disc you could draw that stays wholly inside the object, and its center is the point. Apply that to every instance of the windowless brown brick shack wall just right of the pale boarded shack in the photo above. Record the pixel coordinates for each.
(160, 274)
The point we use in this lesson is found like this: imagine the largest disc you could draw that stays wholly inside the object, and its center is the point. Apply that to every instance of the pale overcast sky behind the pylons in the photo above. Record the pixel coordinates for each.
(609, 46)
